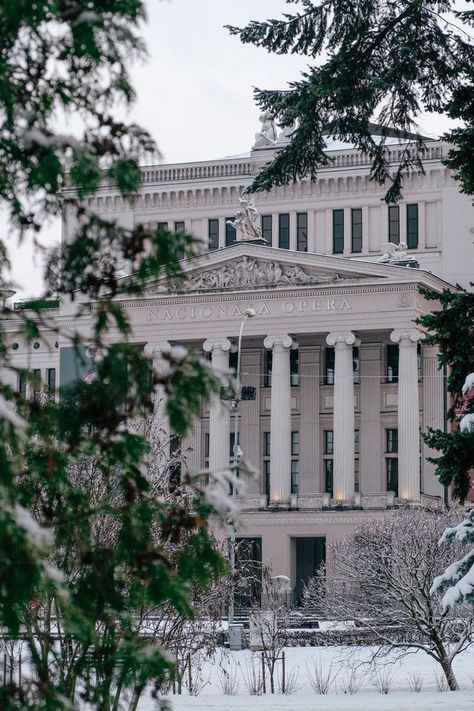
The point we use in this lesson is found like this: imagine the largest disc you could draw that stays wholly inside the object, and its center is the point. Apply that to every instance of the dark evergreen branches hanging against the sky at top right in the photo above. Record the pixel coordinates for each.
(372, 61)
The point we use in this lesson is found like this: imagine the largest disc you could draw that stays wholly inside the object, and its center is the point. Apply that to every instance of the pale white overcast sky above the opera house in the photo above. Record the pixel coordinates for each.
(194, 94)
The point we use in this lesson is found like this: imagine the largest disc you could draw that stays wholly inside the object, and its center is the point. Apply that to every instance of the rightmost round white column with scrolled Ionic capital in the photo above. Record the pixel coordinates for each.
(408, 415)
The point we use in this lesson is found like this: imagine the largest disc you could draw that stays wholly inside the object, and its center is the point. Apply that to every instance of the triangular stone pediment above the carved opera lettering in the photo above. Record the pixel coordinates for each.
(253, 267)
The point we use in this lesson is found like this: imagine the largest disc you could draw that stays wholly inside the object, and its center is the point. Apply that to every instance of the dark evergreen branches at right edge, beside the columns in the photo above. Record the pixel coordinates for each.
(450, 328)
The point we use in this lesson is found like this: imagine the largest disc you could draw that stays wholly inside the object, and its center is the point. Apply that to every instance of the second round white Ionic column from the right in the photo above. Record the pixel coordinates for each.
(343, 416)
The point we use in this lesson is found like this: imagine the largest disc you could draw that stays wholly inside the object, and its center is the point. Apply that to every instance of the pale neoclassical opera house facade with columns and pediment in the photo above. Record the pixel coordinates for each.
(337, 384)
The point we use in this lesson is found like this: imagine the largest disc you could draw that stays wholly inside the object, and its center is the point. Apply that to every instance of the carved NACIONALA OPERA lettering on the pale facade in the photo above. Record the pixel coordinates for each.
(212, 311)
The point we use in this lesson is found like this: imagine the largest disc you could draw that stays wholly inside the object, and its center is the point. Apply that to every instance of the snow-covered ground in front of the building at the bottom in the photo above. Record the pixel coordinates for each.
(301, 661)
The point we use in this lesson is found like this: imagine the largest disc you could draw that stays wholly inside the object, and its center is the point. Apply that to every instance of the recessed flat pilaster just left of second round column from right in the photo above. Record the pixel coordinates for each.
(309, 357)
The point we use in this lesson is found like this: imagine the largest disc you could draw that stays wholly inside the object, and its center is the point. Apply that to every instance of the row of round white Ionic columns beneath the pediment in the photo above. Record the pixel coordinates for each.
(344, 404)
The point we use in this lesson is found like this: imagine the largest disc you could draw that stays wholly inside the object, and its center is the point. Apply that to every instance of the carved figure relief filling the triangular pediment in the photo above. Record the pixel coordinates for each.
(250, 273)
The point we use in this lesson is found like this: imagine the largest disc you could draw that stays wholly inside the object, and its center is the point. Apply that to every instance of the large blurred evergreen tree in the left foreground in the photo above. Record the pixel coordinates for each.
(71, 59)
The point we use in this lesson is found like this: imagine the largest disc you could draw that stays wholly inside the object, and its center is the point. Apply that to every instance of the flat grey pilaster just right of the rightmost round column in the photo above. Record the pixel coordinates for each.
(433, 416)
